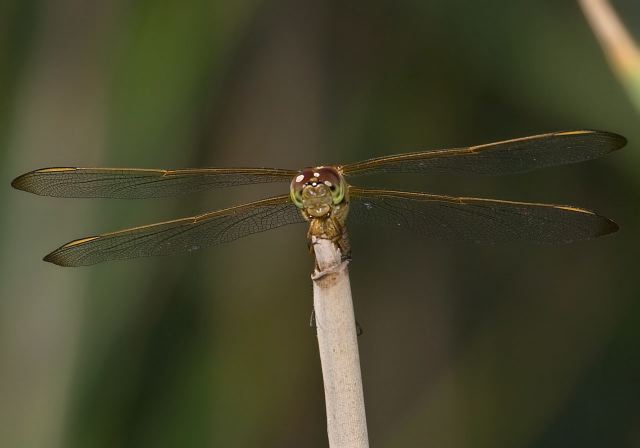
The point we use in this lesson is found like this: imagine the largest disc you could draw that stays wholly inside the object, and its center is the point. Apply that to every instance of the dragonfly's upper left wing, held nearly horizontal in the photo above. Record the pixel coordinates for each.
(130, 183)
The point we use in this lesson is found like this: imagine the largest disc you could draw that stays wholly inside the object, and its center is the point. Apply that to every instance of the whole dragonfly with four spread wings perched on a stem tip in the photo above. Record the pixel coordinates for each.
(323, 197)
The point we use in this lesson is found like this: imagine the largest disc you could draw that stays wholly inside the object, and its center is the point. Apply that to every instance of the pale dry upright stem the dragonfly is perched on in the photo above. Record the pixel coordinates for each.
(337, 339)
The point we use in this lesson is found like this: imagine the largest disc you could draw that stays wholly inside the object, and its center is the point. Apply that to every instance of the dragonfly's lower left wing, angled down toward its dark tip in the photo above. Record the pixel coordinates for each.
(179, 236)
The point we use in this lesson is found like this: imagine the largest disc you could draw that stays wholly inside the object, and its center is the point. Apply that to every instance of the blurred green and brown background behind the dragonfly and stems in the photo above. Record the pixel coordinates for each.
(463, 345)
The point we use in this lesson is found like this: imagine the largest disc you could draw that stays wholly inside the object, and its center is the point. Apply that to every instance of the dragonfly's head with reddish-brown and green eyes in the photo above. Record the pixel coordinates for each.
(317, 190)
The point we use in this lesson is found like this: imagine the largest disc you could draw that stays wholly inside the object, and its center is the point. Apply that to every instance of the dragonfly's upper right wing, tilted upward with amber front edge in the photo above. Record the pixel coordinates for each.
(507, 157)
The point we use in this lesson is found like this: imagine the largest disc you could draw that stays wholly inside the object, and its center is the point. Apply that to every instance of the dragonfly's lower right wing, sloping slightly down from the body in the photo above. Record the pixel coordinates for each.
(479, 220)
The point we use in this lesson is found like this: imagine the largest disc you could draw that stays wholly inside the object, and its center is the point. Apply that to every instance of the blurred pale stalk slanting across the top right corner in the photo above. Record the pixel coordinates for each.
(618, 45)
